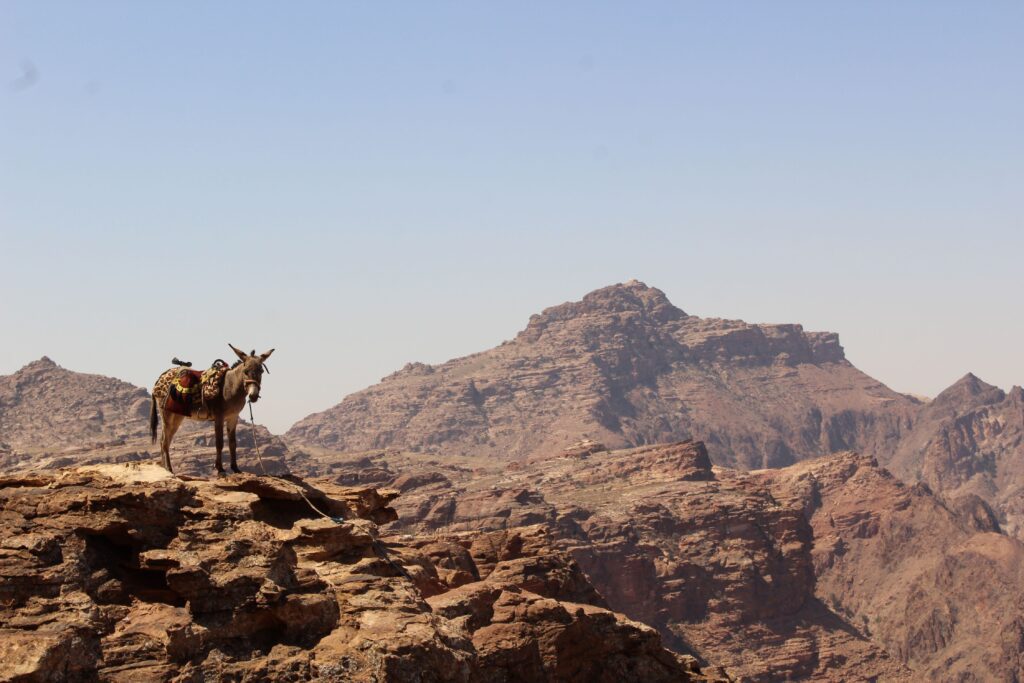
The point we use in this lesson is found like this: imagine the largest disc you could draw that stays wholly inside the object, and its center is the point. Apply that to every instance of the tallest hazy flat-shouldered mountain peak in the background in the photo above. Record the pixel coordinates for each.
(625, 368)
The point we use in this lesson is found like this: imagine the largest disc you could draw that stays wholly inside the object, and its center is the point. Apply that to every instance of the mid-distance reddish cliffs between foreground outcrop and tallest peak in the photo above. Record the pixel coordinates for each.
(830, 570)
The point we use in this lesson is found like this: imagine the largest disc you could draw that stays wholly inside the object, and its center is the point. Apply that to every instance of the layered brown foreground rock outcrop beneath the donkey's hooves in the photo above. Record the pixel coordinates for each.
(124, 573)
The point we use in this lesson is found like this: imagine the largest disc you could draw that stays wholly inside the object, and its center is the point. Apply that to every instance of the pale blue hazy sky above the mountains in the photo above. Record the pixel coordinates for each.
(363, 185)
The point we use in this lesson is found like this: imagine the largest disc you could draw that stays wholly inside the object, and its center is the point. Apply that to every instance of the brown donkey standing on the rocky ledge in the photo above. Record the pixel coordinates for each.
(241, 382)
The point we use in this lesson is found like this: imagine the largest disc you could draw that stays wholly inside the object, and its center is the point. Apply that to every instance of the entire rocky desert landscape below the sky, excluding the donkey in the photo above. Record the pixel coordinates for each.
(622, 492)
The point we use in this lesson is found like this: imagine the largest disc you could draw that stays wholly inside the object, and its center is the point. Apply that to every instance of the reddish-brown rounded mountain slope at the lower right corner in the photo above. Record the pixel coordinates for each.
(936, 586)
